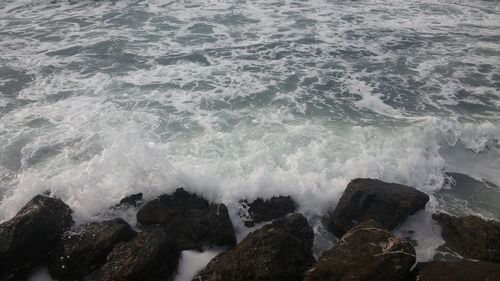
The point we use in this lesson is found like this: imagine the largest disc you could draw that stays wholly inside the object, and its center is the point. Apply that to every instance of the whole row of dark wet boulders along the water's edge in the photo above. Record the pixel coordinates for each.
(39, 235)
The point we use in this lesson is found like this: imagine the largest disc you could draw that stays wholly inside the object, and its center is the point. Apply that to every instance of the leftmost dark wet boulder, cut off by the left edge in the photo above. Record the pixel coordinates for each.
(27, 239)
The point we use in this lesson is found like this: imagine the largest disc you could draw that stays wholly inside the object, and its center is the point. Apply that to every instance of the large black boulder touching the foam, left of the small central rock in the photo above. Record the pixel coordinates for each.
(193, 222)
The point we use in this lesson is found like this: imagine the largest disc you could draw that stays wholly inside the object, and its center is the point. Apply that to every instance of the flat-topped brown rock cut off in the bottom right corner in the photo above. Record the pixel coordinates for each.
(456, 271)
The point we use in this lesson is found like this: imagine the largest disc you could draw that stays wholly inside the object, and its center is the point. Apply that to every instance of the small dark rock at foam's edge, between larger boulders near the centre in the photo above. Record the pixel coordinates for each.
(262, 210)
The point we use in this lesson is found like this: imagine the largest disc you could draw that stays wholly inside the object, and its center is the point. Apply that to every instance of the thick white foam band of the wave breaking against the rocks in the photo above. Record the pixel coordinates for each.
(307, 162)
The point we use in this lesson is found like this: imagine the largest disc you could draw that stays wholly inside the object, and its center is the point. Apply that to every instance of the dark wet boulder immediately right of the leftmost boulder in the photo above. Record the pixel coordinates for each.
(78, 254)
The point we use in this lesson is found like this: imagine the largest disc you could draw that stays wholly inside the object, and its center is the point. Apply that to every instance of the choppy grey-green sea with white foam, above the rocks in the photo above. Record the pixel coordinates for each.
(236, 99)
